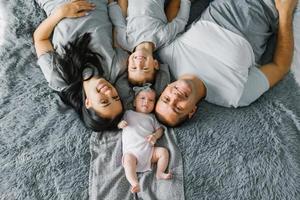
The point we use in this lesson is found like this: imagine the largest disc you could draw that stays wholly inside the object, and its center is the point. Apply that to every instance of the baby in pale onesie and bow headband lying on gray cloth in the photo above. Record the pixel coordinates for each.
(140, 132)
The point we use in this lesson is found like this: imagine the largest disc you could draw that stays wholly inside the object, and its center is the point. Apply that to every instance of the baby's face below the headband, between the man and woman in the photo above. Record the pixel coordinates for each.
(144, 102)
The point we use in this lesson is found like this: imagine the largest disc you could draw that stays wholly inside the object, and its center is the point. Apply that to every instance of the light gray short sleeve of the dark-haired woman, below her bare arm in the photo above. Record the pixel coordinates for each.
(49, 69)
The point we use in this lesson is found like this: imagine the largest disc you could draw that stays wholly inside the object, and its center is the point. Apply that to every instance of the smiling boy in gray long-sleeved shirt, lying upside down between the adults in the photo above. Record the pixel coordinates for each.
(144, 30)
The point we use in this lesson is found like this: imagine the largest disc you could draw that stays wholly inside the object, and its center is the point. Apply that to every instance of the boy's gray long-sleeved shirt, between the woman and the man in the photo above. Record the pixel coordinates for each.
(146, 21)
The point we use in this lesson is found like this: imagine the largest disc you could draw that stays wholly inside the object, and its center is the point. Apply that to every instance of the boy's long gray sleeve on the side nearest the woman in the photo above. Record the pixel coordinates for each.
(120, 25)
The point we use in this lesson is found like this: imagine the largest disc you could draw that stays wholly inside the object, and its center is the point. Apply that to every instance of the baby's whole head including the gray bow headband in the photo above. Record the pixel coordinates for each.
(144, 100)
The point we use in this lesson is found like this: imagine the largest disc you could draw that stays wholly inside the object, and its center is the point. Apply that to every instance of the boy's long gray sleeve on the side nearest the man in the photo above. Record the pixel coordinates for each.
(177, 25)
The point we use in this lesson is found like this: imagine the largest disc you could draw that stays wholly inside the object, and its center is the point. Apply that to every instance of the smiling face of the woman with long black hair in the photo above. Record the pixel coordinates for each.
(102, 97)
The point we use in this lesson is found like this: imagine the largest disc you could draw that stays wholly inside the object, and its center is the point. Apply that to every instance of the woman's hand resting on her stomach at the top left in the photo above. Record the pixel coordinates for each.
(75, 8)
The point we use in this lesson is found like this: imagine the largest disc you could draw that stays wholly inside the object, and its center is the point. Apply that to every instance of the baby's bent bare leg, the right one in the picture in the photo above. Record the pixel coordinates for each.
(161, 156)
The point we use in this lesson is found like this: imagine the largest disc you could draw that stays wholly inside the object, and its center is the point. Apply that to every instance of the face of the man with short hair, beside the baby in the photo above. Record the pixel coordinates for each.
(177, 101)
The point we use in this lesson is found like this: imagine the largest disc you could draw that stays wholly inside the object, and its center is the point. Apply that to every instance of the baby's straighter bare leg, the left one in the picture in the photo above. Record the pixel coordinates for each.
(129, 163)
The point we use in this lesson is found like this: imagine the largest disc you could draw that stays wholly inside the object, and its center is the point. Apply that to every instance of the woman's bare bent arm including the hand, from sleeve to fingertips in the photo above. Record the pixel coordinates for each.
(73, 9)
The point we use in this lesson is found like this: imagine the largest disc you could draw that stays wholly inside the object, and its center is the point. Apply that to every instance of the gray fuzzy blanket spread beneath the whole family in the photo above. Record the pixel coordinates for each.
(246, 153)
